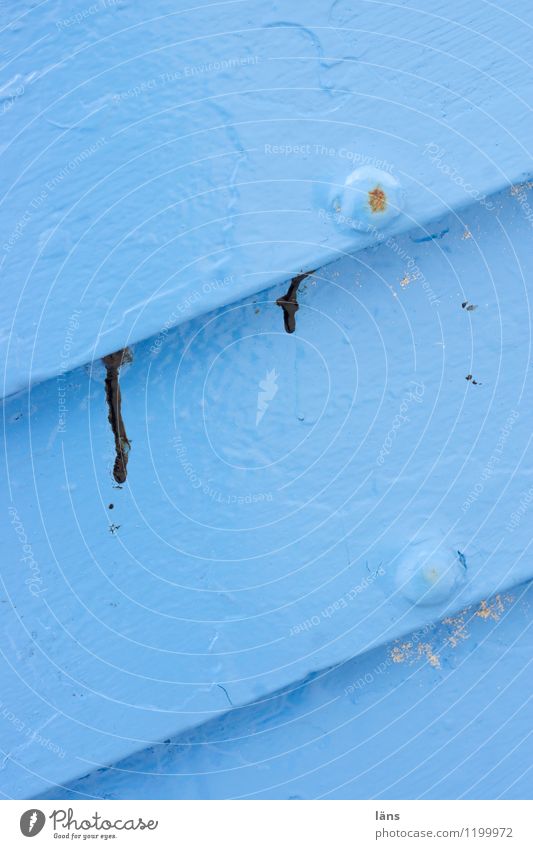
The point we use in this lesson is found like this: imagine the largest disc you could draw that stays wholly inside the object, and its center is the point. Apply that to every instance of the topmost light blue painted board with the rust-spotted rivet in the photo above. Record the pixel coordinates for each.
(160, 162)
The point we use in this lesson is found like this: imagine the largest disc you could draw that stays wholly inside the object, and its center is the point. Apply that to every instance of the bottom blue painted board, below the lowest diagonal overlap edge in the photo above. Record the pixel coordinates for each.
(443, 713)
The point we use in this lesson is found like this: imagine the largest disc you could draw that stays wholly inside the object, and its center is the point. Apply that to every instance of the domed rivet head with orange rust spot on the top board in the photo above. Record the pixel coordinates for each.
(370, 199)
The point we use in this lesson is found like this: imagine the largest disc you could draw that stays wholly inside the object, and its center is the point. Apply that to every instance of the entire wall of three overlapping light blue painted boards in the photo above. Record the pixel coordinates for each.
(293, 502)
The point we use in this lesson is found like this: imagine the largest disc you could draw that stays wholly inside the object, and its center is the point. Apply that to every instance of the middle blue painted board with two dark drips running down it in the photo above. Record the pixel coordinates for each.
(263, 535)
